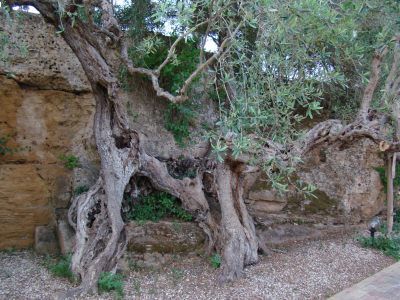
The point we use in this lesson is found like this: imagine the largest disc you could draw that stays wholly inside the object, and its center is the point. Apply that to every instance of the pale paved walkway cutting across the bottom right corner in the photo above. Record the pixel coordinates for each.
(384, 285)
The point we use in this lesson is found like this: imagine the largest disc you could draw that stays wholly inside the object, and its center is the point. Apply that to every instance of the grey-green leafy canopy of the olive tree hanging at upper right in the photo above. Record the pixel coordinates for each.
(281, 60)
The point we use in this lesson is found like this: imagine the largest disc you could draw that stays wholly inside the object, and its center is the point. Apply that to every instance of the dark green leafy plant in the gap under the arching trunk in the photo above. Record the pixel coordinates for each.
(157, 205)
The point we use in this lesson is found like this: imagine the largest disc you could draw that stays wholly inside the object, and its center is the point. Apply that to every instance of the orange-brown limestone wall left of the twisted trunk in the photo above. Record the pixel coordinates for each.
(34, 182)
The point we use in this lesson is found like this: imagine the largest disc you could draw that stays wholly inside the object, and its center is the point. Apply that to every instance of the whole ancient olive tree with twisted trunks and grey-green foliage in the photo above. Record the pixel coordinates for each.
(273, 64)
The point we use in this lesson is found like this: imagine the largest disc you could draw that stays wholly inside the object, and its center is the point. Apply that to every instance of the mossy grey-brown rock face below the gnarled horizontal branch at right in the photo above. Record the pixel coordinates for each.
(348, 189)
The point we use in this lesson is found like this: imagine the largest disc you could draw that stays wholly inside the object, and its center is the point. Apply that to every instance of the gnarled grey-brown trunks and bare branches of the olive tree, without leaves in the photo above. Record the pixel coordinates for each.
(96, 214)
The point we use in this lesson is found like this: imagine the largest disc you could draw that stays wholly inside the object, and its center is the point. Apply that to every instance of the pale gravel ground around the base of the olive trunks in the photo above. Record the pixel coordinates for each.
(311, 269)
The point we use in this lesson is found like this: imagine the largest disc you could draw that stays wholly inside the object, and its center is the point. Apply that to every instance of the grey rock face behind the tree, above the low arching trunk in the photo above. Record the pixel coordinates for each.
(147, 117)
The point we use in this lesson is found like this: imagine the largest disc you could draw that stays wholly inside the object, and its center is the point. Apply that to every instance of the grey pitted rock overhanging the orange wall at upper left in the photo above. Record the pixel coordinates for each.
(49, 63)
